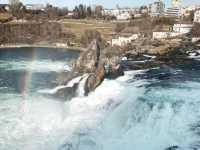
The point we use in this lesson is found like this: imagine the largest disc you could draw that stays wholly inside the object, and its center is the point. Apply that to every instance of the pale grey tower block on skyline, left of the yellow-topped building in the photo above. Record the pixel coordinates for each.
(157, 8)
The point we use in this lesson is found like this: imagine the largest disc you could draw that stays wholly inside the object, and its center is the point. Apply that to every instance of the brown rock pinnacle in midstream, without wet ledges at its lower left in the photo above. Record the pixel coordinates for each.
(98, 64)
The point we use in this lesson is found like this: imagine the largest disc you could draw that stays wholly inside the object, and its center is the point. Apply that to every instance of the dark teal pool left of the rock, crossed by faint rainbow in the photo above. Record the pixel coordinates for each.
(42, 65)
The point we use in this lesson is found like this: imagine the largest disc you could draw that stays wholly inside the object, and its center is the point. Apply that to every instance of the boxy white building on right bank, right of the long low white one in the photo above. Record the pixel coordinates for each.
(182, 28)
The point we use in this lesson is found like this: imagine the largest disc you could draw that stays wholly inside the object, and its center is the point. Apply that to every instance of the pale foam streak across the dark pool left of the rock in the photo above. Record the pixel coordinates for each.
(35, 65)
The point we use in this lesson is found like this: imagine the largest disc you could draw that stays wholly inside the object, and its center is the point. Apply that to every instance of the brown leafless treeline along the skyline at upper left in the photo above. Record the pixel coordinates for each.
(50, 12)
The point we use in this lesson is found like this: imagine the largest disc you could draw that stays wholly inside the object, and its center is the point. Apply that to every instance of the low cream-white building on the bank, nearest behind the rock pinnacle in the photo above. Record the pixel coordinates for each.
(123, 40)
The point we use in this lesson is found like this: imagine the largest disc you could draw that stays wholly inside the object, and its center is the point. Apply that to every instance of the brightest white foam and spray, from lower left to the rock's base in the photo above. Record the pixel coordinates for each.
(41, 123)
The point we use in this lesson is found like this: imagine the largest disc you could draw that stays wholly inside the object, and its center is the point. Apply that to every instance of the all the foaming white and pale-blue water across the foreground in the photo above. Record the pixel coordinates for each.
(119, 114)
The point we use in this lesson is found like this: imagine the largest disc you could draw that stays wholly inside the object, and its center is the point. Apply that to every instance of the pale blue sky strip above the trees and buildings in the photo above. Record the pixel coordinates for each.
(106, 3)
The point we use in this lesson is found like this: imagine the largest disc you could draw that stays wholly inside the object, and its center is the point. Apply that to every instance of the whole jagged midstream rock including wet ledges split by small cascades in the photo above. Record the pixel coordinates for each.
(98, 64)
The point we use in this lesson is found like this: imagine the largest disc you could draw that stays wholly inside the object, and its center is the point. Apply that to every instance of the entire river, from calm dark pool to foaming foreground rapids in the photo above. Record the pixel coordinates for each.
(150, 109)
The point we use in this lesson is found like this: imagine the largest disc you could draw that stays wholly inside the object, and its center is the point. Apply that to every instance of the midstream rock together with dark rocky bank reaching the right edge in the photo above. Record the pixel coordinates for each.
(111, 62)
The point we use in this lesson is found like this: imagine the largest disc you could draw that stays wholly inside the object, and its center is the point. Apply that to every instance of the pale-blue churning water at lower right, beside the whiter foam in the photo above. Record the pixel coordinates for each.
(163, 120)
